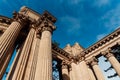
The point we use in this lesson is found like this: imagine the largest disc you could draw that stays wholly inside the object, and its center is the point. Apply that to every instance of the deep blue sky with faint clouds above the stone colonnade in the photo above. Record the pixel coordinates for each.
(83, 21)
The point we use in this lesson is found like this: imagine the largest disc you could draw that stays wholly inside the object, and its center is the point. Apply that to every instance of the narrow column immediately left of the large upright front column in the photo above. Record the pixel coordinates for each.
(32, 62)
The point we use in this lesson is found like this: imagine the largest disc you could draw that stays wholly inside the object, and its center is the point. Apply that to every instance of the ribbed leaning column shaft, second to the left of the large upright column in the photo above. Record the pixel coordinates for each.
(23, 59)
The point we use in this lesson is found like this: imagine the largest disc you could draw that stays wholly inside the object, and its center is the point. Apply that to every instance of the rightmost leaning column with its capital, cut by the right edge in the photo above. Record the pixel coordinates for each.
(114, 62)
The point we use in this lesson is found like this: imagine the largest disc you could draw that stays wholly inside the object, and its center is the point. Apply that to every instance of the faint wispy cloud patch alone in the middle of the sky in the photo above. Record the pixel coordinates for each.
(72, 24)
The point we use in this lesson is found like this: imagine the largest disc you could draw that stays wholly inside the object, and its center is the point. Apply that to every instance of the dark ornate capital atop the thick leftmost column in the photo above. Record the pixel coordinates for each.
(20, 18)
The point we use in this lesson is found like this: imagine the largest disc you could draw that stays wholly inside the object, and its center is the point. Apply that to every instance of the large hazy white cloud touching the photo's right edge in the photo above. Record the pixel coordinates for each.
(112, 18)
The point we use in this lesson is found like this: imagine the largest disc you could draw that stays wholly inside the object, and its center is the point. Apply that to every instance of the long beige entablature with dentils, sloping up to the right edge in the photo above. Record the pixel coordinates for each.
(102, 45)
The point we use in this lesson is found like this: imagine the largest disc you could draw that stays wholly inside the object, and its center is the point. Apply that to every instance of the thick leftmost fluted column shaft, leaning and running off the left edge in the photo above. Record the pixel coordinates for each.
(9, 37)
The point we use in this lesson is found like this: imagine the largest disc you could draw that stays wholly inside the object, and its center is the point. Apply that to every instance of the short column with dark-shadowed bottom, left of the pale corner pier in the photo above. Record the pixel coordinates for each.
(65, 73)
